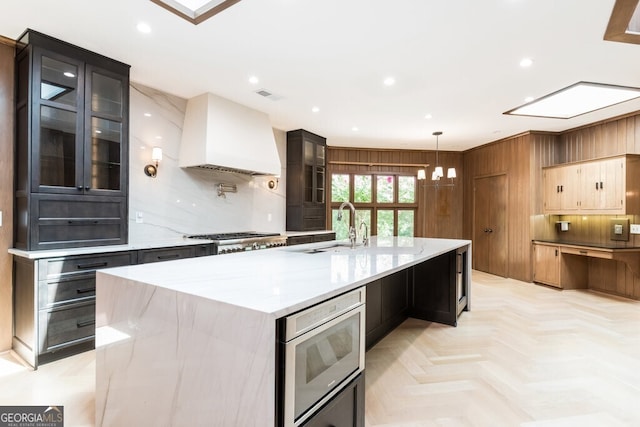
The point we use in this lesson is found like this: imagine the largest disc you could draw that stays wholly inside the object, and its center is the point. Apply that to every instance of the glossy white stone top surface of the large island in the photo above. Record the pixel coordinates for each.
(283, 280)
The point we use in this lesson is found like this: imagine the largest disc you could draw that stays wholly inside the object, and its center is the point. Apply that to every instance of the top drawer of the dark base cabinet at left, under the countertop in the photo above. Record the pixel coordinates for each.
(57, 267)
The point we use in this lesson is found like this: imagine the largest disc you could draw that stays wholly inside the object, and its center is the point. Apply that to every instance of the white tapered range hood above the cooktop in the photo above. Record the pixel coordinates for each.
(222, 135)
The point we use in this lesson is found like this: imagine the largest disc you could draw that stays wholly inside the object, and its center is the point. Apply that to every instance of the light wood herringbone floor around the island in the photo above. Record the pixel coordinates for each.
(525, 355)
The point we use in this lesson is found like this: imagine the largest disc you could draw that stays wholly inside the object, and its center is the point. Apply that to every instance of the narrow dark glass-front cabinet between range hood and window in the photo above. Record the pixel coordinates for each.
(306, 195)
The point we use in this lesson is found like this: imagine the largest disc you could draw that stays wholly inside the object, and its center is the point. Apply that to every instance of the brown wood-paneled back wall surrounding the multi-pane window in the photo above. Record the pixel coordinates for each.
(440, 211)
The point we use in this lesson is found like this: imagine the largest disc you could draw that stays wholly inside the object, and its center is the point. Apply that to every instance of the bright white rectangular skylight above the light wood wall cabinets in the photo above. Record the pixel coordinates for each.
(579, 98)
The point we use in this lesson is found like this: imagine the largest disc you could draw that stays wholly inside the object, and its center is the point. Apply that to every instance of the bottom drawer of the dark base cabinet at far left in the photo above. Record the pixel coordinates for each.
(60, 328)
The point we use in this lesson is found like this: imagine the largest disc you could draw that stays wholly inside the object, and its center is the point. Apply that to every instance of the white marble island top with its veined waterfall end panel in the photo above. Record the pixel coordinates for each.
(192, 342)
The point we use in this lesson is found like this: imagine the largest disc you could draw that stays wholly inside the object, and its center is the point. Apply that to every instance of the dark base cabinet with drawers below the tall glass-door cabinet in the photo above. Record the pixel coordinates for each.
(54, 304)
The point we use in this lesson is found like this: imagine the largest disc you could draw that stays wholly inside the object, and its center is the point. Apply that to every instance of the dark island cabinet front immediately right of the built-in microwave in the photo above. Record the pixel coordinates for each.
(387, 306)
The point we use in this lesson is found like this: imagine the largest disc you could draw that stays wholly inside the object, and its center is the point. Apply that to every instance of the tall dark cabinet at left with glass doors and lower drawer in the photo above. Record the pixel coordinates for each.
(72, 149)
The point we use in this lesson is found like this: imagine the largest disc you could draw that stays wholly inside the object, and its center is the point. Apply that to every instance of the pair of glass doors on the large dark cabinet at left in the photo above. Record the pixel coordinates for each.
(78, 116)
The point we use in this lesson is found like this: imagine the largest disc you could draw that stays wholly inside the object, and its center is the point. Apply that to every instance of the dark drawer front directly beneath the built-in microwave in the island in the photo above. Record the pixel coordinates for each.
(345, 409)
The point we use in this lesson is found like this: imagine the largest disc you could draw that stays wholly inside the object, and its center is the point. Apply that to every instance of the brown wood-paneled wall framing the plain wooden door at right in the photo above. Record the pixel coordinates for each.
(510, 156)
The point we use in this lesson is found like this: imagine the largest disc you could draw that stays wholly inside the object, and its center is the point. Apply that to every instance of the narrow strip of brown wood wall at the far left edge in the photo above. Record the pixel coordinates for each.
(7, 53)
